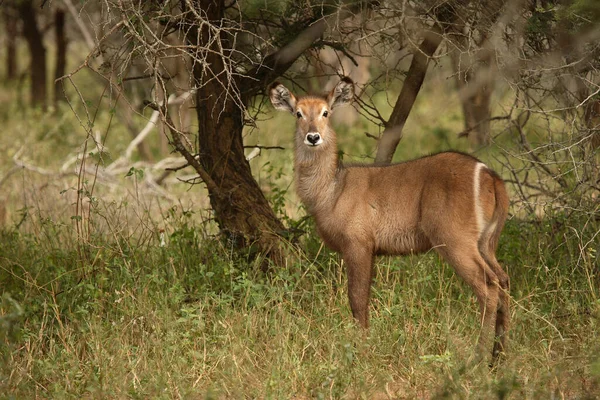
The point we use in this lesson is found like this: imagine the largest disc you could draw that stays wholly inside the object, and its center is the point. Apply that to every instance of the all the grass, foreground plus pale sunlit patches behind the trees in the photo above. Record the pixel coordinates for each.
(94, 306)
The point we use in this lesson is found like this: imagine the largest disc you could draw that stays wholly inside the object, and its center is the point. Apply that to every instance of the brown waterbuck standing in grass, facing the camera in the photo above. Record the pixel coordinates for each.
(450, 202)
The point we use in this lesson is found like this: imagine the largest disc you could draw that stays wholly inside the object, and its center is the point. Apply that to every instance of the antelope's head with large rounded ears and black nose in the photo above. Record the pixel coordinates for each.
(313, 130)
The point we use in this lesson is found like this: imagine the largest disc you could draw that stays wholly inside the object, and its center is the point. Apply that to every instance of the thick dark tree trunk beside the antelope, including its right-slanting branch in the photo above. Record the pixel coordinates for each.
(241, 210)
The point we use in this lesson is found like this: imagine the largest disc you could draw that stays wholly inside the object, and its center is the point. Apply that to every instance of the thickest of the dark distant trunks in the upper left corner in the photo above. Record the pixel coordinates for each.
(38, 54)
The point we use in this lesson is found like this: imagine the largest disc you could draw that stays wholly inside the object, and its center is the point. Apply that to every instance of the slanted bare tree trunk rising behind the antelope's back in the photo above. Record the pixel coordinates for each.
(412, 85)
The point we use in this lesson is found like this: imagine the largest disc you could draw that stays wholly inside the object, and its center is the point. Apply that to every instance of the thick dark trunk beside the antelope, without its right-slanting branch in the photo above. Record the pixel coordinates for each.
(241, 210)
